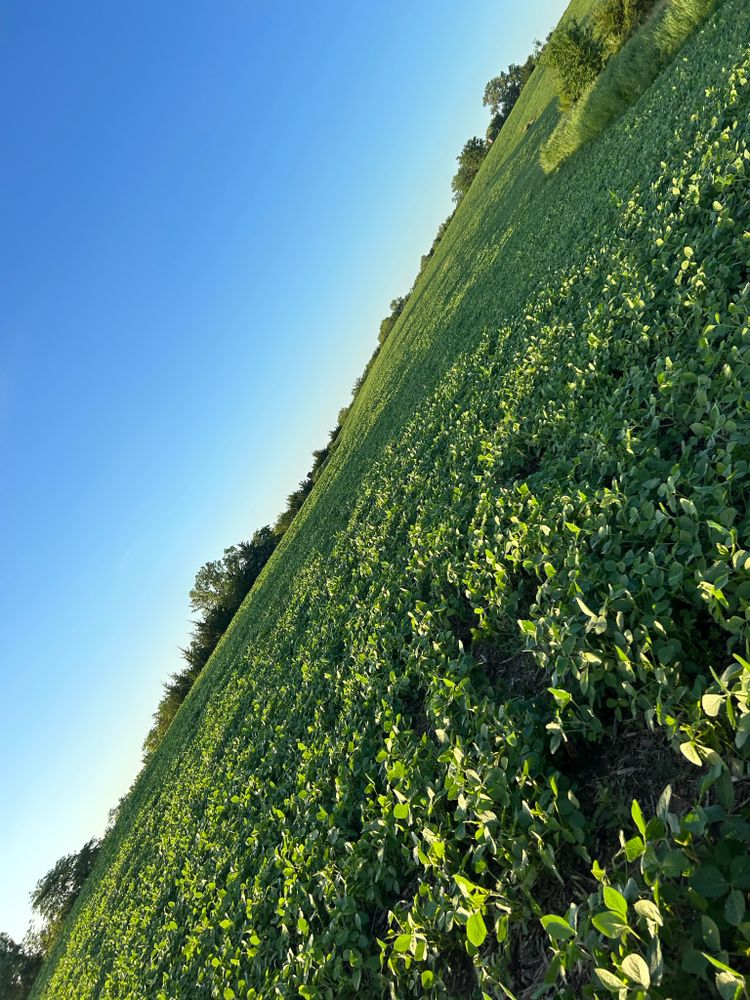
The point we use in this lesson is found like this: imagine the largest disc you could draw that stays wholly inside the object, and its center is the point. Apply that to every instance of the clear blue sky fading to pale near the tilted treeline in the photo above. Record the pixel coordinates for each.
(205, 210)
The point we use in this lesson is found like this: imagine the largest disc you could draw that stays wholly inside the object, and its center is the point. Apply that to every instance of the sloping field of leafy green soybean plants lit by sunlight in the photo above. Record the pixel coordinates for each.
(512, 605)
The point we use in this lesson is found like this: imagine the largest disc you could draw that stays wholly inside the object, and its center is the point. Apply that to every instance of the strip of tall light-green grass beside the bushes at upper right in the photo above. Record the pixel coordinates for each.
(627, 75)
